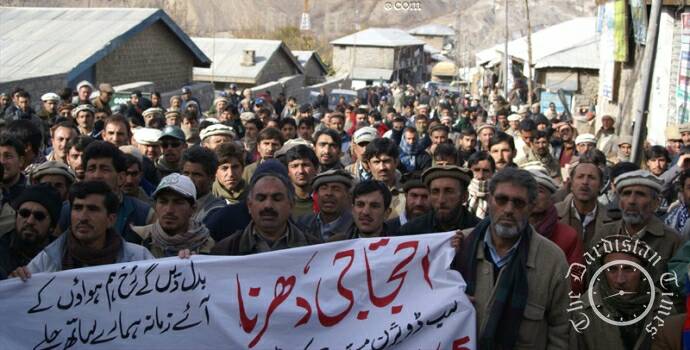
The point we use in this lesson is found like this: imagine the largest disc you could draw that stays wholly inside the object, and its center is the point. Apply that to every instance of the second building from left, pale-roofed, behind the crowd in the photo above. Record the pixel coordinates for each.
(246, 62)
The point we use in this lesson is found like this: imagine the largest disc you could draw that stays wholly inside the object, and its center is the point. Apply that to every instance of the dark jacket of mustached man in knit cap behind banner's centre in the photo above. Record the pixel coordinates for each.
(242, 243)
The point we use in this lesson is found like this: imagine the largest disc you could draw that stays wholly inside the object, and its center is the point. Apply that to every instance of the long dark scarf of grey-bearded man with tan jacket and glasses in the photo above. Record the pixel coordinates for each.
(505, 316)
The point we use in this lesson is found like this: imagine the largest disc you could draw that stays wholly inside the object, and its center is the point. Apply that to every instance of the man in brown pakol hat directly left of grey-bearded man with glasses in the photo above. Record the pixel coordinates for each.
(447, 192)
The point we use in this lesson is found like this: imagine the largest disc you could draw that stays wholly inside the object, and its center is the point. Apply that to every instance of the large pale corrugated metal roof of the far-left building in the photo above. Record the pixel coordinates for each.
(37, 42)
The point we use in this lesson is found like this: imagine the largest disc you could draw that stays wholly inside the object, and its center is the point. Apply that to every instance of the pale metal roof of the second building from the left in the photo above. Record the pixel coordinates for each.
(227, 55)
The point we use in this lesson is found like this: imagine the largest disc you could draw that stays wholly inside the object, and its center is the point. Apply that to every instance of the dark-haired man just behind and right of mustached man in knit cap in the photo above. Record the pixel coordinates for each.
(301, 163)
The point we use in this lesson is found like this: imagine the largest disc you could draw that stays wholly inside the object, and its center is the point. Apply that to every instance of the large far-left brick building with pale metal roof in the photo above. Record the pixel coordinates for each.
(46, 49)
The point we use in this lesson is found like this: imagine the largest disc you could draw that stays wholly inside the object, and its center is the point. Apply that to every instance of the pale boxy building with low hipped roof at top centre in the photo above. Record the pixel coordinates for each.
(380, 55)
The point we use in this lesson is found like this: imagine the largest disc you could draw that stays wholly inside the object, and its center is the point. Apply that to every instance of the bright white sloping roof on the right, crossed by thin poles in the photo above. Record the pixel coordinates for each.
(548, 41)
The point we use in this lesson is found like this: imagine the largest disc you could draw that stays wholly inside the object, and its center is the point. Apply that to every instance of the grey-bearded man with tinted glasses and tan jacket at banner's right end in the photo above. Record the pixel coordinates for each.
(514, 275)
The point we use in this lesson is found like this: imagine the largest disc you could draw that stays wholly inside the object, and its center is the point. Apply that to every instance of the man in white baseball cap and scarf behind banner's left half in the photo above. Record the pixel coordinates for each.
(175, 229)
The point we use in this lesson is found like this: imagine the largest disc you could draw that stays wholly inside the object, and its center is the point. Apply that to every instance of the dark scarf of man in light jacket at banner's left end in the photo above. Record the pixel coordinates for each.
(78, 255)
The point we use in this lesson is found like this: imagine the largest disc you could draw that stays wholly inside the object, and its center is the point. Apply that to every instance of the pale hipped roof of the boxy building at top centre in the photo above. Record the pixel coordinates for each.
(383, 37)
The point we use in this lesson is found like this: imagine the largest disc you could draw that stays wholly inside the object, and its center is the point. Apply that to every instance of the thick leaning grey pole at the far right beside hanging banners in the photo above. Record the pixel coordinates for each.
(646, 68)
